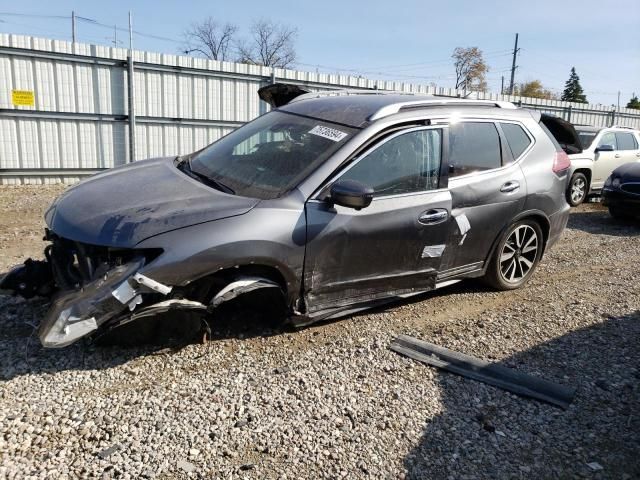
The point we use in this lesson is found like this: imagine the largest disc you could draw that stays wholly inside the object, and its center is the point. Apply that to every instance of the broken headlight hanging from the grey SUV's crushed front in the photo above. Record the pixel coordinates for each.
(78, 313)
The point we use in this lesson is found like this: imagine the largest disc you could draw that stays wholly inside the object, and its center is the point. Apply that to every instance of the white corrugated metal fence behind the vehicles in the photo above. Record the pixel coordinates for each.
(77, 120)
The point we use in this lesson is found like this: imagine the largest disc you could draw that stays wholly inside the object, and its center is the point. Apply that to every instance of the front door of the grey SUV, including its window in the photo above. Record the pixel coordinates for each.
(393, 246)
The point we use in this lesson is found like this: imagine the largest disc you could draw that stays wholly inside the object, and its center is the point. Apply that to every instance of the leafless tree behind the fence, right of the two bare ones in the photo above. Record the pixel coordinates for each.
(271, 44)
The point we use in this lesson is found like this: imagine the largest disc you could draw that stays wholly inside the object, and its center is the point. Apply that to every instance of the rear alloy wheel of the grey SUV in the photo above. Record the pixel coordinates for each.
(519, 254)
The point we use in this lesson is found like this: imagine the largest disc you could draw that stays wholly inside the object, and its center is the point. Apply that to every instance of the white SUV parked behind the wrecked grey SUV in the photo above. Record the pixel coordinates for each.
(604, 149)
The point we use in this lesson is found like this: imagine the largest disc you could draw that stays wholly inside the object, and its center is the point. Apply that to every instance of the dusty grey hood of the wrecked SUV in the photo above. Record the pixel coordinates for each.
(125, 205)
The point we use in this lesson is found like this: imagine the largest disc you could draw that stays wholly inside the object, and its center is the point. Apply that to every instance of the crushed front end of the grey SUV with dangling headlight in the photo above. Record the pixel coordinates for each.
(91, 287)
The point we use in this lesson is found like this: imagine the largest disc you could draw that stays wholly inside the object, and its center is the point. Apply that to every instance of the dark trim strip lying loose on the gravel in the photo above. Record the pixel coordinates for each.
(477, 369)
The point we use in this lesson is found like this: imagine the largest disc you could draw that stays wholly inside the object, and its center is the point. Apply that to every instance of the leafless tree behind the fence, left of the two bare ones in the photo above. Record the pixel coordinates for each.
(210, 38)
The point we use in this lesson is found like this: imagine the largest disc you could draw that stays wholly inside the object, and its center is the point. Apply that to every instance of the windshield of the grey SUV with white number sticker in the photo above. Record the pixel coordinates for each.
(271, 155)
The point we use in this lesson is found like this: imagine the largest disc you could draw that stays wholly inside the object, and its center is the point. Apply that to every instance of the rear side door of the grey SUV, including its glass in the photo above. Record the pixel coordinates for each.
(487, 187)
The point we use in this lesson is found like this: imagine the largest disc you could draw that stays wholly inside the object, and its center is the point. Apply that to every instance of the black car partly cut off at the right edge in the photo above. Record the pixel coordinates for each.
(621, 192)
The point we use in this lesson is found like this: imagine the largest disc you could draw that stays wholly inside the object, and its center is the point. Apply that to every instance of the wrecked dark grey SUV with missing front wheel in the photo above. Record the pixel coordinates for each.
(333, 202)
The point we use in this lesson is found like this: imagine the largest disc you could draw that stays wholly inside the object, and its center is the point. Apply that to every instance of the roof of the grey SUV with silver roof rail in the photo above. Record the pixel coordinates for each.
(357, 109)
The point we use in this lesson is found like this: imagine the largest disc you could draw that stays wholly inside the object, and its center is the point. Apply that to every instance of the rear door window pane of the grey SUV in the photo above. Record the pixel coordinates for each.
(473, 147)
